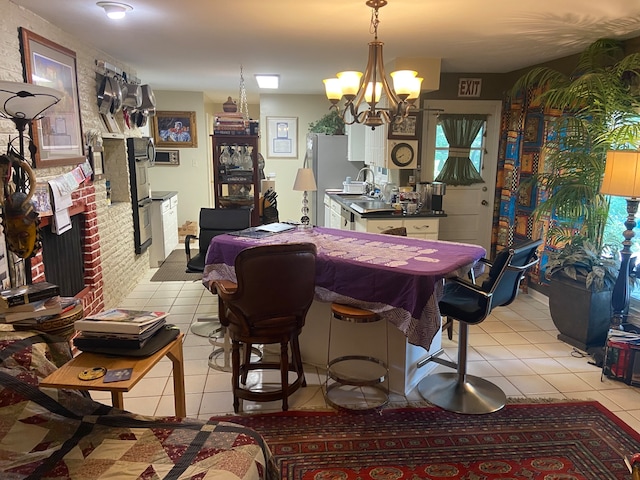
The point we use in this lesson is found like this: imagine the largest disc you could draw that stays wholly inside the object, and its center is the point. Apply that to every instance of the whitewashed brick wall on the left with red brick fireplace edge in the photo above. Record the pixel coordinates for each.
(112, 268)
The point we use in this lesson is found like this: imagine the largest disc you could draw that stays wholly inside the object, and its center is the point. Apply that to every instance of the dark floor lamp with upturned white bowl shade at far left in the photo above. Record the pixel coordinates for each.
(22, 103)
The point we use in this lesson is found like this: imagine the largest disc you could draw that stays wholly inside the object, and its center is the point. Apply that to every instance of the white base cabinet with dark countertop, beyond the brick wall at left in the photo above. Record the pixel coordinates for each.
(164, 228)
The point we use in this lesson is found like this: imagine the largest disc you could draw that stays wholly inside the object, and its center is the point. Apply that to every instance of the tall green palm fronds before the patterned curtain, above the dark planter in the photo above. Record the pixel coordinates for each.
(600, 101)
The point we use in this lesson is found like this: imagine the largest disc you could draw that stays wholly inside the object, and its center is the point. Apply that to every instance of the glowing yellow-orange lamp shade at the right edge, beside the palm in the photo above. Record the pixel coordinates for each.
(622, 174)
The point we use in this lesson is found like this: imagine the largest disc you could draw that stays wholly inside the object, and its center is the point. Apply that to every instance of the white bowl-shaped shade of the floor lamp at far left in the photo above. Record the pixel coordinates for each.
(26, 101)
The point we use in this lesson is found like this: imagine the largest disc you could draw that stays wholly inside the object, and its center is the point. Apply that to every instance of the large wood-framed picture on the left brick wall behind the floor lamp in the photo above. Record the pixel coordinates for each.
(58, 135)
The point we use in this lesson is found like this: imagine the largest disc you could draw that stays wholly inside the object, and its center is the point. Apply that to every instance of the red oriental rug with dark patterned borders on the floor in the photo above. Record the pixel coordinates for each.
(556, 441)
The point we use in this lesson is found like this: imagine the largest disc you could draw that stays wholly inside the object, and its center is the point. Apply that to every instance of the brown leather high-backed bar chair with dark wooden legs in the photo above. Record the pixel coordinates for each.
(269, 304)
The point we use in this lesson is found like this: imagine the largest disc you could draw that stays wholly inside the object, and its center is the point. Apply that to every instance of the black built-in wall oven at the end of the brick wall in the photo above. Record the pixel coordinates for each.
(141, 156)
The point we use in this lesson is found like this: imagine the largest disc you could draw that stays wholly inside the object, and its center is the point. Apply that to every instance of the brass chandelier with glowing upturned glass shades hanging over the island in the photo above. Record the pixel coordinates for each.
(357, 88)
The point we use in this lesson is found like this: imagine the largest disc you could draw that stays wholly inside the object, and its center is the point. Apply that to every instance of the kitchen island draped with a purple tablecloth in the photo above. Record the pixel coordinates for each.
(400, 278)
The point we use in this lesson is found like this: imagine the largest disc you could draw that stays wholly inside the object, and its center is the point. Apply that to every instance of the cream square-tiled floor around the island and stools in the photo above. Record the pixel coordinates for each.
(516, 348)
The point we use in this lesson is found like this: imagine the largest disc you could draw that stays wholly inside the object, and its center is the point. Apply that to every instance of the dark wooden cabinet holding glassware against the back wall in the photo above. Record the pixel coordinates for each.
(235, 168)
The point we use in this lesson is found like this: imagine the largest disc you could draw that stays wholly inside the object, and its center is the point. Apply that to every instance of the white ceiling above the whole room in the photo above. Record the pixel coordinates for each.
(199, 45)
